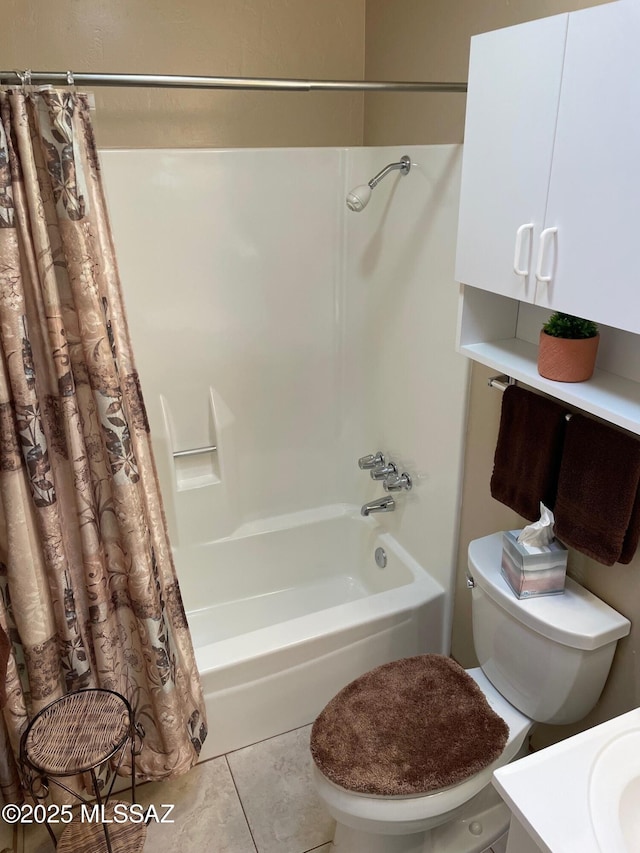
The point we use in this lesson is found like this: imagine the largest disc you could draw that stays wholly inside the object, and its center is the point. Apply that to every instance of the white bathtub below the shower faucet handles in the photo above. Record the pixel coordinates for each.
(288, 610)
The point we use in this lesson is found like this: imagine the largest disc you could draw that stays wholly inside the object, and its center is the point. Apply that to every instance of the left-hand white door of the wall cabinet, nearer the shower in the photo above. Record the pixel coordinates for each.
(512, 103)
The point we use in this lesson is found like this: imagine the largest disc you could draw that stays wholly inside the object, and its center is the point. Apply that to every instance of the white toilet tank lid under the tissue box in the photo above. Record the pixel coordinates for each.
(574, 618)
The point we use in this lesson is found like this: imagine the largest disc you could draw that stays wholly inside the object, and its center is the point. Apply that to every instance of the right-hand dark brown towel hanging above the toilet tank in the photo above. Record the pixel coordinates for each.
(596, 510)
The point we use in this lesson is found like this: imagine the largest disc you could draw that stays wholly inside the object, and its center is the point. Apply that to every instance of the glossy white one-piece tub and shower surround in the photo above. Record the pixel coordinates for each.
(296, 336)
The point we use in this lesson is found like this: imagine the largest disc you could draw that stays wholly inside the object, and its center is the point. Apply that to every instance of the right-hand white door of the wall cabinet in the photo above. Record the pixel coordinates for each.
(594, 194)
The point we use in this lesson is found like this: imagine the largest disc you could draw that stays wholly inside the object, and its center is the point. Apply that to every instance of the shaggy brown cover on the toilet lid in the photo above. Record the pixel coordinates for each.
(407, 727)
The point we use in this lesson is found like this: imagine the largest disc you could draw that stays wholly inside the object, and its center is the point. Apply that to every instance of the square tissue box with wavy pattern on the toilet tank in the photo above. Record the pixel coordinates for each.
(533, 571)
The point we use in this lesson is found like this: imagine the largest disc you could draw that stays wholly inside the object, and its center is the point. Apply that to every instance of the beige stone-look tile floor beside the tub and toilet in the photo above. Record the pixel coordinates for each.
(256, 800)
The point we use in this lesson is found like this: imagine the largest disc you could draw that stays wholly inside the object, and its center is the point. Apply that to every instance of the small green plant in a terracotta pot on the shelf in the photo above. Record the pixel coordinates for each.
(568, 348)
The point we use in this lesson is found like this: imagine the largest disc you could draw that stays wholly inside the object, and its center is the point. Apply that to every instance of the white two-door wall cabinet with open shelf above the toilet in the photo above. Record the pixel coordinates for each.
(552, 151)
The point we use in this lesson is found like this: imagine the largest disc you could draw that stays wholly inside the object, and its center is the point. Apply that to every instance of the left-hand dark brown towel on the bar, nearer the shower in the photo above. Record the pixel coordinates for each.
(527, 458)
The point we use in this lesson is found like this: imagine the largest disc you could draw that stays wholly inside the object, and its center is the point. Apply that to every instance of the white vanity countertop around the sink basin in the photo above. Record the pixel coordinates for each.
(548, 791)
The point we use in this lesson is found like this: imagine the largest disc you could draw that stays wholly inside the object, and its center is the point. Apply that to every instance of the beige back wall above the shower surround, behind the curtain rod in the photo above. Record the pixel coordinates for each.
(256, 38)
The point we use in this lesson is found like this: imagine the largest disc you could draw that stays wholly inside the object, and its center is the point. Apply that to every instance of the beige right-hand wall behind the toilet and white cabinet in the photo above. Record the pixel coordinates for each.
(415, 39)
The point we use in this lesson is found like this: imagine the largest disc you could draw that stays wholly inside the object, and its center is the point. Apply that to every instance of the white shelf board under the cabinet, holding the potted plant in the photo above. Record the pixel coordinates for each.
(606, 395)
